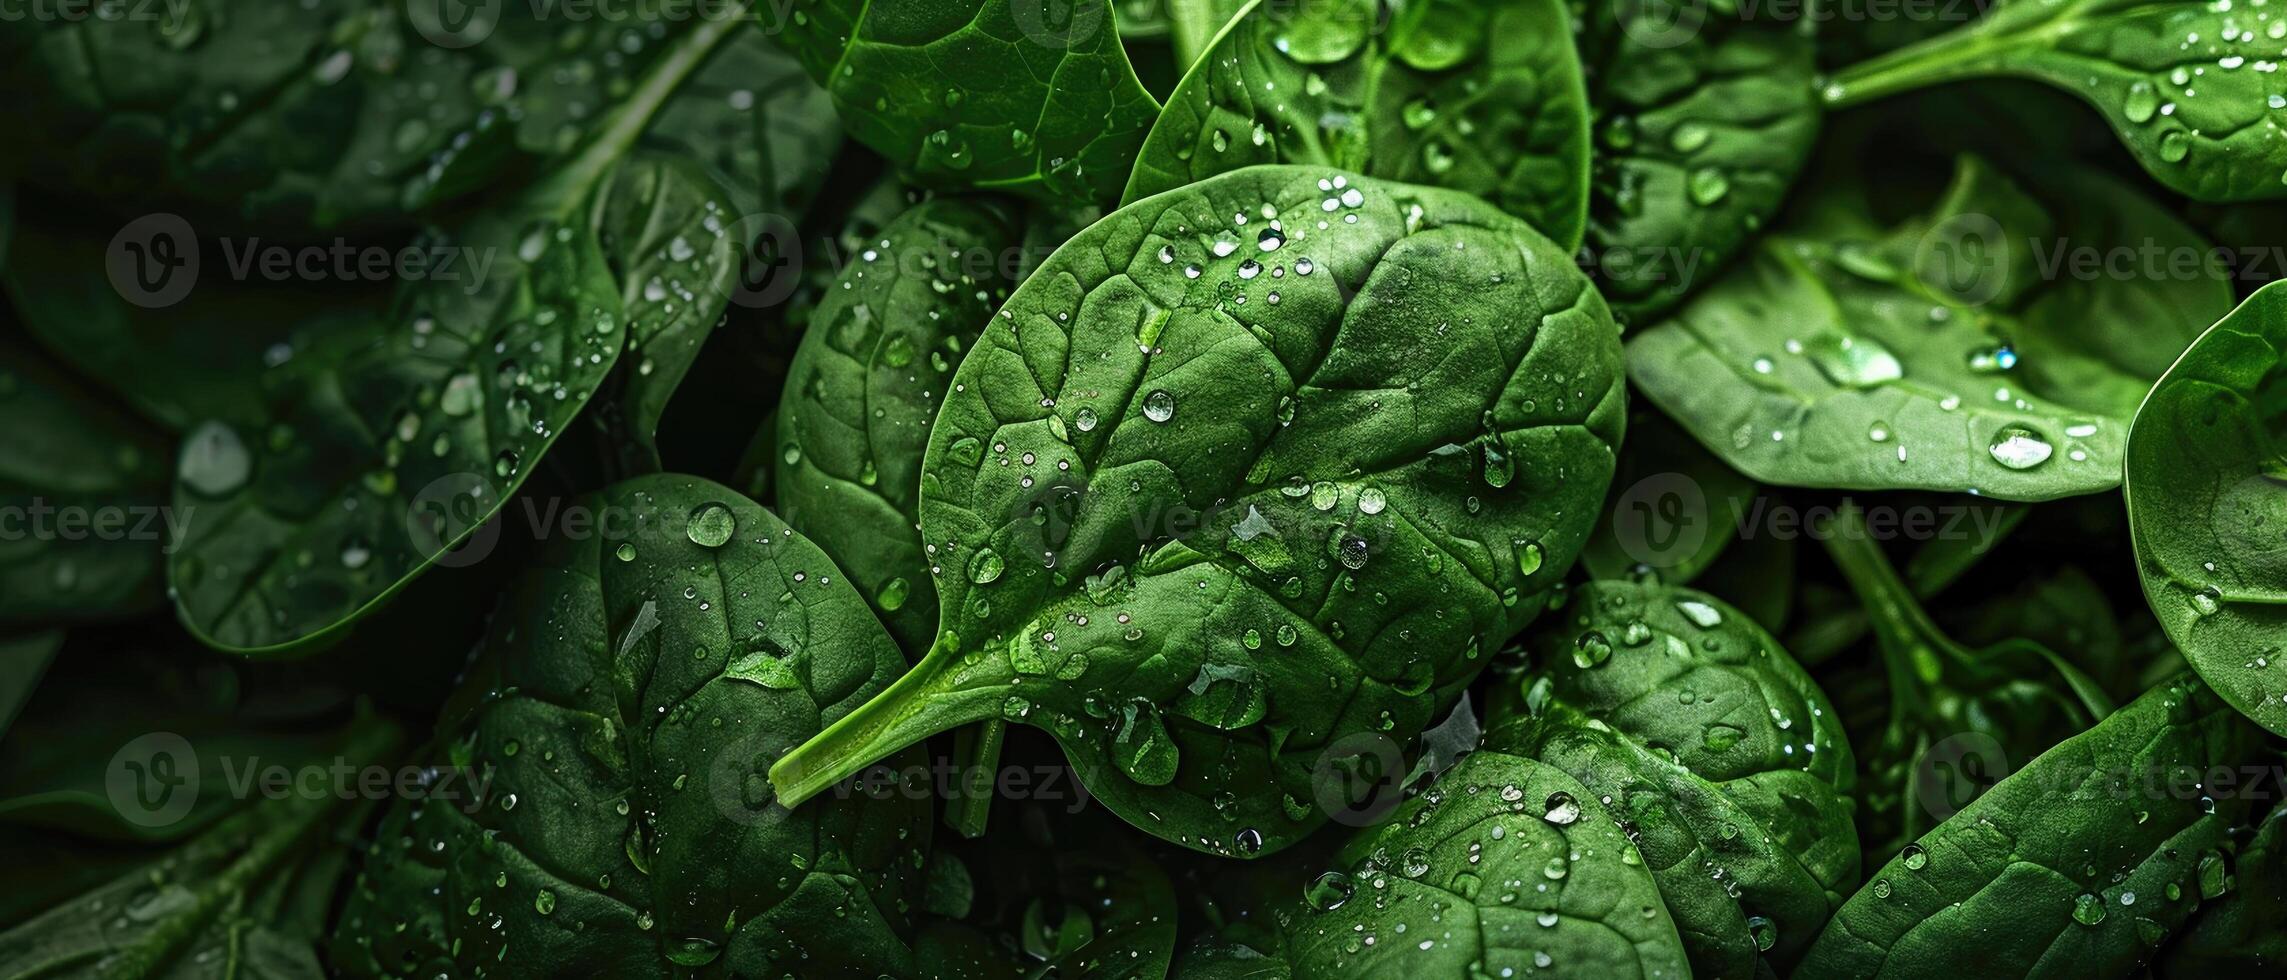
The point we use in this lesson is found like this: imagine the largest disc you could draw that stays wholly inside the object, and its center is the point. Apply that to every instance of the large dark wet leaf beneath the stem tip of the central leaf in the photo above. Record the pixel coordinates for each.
(625, 705)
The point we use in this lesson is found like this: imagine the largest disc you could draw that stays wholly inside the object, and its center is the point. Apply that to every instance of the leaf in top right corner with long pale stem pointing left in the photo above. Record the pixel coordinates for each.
(2188, 88)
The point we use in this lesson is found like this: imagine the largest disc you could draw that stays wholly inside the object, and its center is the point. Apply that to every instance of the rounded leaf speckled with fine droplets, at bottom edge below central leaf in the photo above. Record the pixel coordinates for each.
(1504, 867)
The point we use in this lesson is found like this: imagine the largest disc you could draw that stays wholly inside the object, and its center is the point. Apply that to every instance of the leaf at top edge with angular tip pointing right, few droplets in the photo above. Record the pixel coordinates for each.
(1001, 95)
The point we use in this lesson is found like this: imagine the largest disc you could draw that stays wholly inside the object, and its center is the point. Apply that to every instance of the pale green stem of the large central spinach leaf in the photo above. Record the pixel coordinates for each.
(937, 696)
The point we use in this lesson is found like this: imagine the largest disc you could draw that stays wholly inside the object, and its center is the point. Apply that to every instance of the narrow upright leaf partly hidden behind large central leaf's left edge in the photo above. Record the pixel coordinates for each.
(875, 364)
